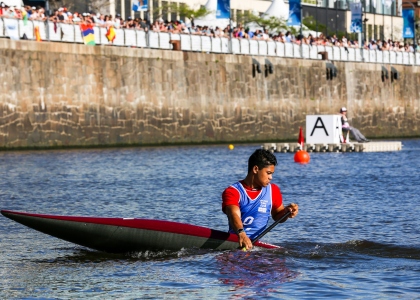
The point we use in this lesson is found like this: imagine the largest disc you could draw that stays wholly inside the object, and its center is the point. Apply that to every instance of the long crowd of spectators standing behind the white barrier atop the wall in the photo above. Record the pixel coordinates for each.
(62, 15)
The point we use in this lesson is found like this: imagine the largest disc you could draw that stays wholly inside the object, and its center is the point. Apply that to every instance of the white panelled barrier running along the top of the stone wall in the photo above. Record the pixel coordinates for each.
(71, 33)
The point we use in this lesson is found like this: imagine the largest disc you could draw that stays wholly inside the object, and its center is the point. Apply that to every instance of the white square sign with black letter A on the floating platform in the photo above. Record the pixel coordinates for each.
(323, 129)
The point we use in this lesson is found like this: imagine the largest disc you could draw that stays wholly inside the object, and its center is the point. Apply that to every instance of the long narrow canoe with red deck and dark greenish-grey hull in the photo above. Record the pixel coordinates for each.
(120, 235)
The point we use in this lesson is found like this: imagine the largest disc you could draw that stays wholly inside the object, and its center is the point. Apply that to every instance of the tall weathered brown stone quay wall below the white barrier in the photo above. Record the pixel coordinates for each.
(58, 94)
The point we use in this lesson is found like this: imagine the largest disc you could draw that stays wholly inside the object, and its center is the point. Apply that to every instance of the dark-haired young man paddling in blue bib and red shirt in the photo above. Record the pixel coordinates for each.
(250, 202)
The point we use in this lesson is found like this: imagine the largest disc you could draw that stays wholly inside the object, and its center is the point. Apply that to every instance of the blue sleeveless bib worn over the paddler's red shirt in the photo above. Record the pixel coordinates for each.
(256, 212)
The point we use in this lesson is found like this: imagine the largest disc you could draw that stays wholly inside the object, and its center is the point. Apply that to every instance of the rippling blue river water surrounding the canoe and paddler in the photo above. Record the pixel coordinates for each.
(357, 235)
